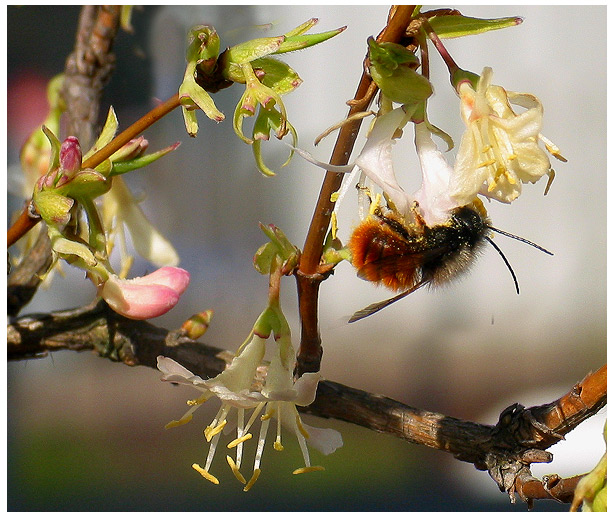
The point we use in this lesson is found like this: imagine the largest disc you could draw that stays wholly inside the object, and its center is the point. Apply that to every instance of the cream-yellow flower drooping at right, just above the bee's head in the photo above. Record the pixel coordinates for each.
(500, 149)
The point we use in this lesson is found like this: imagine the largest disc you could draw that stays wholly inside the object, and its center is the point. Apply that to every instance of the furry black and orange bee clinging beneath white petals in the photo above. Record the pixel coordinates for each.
(405, 257)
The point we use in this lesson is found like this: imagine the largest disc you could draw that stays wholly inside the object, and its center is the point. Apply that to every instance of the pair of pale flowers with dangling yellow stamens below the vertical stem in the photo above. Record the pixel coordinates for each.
(234, 387)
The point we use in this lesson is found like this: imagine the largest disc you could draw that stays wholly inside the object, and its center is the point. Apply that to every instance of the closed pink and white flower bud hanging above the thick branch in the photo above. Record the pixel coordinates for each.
(146, 297)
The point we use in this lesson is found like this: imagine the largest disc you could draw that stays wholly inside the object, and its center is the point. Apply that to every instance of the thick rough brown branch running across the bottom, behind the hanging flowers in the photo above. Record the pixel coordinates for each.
(506, 450)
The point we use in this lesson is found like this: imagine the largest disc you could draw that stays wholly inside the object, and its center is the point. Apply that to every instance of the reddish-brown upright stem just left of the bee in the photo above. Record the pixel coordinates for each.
(308, 277)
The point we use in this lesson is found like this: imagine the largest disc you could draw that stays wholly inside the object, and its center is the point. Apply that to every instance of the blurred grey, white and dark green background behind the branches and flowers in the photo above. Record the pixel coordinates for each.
(86, 434)
